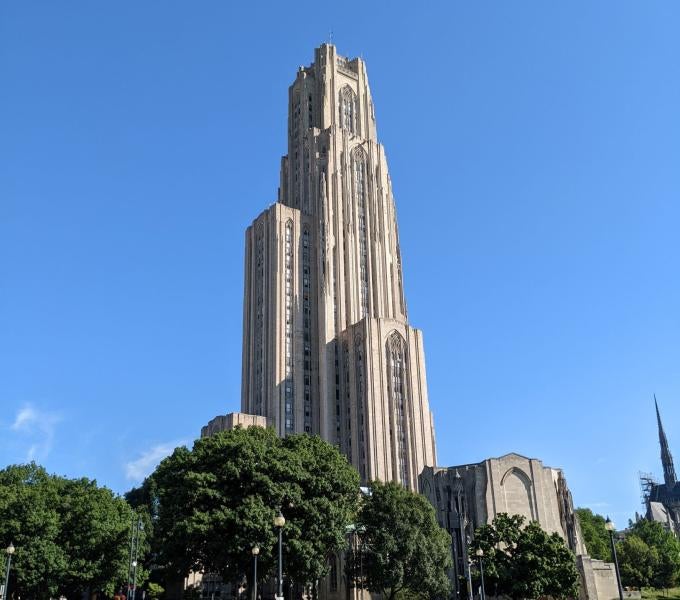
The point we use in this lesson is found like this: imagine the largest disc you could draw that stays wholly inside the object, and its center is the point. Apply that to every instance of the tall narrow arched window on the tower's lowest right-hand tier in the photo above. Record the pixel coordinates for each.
(396, 378)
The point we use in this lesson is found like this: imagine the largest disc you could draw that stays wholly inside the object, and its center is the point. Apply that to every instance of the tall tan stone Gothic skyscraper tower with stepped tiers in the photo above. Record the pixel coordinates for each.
(327, 347)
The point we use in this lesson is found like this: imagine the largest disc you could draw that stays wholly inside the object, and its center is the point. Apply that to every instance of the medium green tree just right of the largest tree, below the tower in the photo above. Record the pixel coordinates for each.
(404, 551)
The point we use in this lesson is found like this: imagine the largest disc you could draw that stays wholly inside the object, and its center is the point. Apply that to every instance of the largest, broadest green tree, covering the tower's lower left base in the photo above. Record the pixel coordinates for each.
(213, 503)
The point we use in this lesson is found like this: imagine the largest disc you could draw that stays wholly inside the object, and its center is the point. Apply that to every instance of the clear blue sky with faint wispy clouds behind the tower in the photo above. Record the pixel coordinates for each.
(535, 153)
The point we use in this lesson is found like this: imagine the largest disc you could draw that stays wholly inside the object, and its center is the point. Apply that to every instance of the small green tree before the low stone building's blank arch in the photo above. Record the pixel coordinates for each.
(525, 561)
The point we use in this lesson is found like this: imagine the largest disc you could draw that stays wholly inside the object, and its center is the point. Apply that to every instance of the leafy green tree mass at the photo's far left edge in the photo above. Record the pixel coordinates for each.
(71, 535)
